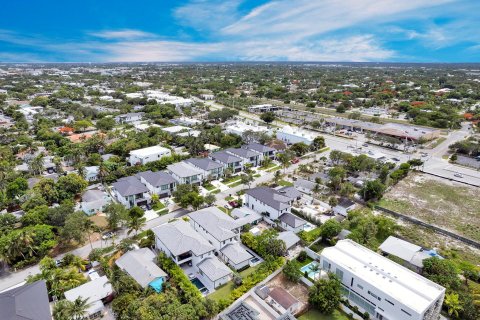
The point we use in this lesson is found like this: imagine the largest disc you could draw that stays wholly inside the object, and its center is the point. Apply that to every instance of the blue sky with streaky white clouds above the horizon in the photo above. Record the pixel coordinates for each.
(240, 30)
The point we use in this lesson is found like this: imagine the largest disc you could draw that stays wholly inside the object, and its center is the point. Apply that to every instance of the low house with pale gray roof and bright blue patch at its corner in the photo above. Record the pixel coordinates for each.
(140, 265)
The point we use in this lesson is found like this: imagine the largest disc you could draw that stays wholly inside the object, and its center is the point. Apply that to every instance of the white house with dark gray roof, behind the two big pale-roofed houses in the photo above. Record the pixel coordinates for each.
(267, 201)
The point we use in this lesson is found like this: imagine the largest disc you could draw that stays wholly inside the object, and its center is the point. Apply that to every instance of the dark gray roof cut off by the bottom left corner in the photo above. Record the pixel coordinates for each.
(28, 302)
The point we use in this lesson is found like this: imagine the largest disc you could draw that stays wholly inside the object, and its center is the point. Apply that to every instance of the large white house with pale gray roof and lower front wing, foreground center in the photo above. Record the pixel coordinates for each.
(179, 241)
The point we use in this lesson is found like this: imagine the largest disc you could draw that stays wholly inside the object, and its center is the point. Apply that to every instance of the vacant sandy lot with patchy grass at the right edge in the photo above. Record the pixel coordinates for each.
(447, 204)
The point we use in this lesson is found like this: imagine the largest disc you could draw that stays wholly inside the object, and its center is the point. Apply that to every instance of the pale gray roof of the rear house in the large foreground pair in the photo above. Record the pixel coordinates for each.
(216, 222)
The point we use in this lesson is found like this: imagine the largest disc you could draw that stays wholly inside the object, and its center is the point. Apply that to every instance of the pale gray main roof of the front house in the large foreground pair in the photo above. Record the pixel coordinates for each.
(179, 237)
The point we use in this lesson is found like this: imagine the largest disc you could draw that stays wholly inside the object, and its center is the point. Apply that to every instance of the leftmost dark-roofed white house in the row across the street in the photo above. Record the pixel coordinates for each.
(130, 192)
